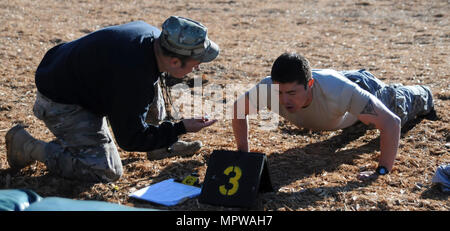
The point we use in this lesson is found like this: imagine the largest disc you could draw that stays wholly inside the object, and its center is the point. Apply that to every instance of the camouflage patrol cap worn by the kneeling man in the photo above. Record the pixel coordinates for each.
(187, 37)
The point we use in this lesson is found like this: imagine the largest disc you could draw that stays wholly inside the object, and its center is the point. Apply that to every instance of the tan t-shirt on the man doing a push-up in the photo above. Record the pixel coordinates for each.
(336, 102)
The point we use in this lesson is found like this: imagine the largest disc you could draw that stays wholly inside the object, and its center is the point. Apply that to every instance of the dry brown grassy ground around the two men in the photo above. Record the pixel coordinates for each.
(398, 41)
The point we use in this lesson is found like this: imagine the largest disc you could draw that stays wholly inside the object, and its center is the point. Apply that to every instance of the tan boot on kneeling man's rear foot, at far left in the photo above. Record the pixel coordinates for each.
(21, 148)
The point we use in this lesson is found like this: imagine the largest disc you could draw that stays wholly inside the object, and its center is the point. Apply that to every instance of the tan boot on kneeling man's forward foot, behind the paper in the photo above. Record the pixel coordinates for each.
(179, 148)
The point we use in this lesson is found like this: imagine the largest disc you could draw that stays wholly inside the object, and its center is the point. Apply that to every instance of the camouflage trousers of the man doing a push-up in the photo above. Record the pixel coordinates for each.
(407, 102)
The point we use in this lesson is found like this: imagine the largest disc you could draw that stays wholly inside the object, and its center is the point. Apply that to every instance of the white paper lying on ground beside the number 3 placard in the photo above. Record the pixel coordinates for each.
(167, 192)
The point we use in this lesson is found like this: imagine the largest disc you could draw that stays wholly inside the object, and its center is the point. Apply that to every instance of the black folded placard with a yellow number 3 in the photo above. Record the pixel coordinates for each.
(235, 178)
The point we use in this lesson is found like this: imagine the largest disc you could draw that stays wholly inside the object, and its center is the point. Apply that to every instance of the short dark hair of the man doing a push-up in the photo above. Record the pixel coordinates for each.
(291, 67)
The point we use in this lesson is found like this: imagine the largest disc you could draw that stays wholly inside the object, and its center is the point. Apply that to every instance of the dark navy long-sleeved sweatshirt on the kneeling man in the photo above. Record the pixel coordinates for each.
(111, 72)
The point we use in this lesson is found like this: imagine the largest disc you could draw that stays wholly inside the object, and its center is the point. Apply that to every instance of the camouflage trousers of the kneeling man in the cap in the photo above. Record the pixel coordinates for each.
(84, 148)
